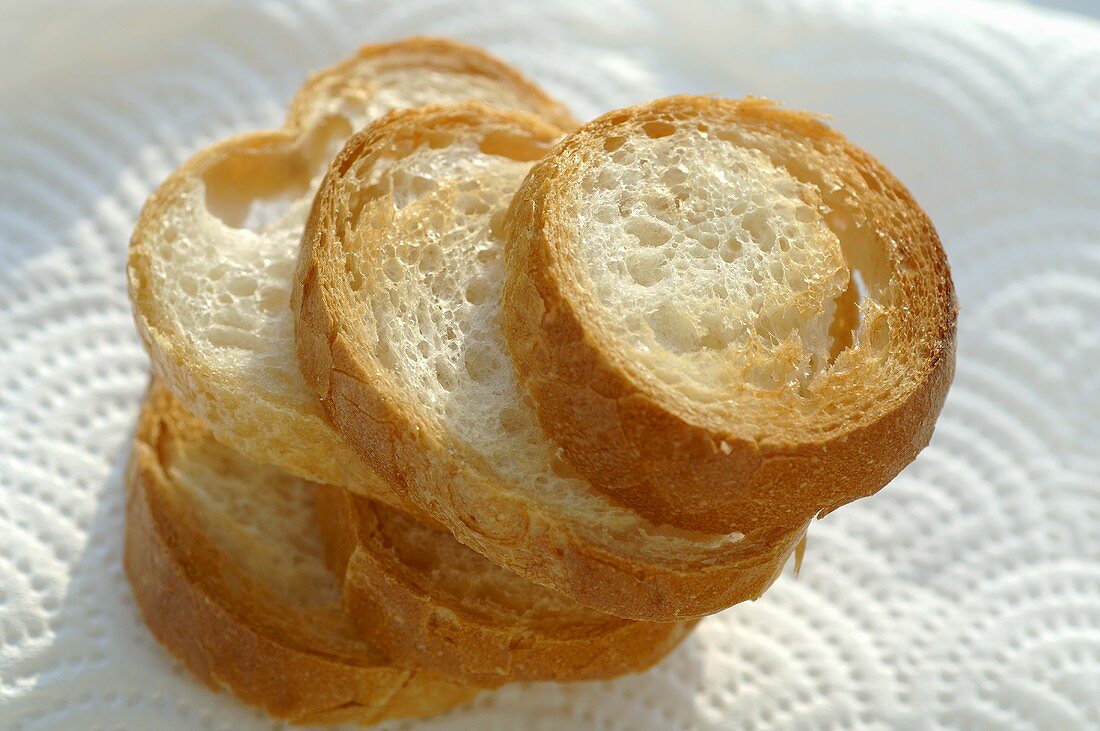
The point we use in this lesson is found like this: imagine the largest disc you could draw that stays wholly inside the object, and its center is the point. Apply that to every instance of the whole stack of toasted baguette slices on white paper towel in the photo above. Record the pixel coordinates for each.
(450, 393)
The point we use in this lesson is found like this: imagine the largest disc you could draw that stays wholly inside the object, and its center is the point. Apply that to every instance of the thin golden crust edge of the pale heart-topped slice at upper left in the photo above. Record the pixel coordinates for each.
(260, 425)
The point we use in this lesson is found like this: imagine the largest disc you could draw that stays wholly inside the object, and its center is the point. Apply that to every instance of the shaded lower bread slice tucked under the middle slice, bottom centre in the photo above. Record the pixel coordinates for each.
(419, 594)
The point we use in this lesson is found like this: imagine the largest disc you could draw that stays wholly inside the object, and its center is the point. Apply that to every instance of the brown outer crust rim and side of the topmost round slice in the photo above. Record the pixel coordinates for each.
(636, 445)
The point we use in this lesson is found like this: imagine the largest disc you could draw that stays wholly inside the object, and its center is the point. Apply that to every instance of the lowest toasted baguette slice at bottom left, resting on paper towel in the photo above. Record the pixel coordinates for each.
(226, 563)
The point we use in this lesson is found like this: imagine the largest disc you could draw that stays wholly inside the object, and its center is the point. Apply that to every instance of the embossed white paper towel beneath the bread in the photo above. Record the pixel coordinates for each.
(965, 596)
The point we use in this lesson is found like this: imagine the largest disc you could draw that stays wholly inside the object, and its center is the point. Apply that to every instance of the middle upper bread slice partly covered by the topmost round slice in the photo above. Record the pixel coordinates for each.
(399, 305)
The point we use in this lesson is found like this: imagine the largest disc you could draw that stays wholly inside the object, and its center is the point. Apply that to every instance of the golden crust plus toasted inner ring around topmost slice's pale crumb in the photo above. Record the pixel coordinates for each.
(665, 457)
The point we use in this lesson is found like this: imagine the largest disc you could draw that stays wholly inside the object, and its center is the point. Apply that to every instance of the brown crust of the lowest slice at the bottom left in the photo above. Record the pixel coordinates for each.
(229, 630)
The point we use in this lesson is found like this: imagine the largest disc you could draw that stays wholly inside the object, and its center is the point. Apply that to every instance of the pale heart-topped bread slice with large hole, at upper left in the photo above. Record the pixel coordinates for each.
(213, 254)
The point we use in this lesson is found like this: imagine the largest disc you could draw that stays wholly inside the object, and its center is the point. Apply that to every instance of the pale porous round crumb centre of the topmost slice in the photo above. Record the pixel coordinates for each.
(713, 262)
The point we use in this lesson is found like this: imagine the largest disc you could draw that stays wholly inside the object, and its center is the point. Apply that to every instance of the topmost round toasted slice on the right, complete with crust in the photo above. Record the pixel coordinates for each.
(729, 316)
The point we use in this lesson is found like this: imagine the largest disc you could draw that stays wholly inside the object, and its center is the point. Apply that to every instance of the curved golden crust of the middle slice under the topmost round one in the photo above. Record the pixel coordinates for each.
(456, 484)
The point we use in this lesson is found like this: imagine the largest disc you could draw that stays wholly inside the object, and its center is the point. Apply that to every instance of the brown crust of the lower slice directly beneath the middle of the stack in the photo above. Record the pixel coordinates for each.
(455, 639)
